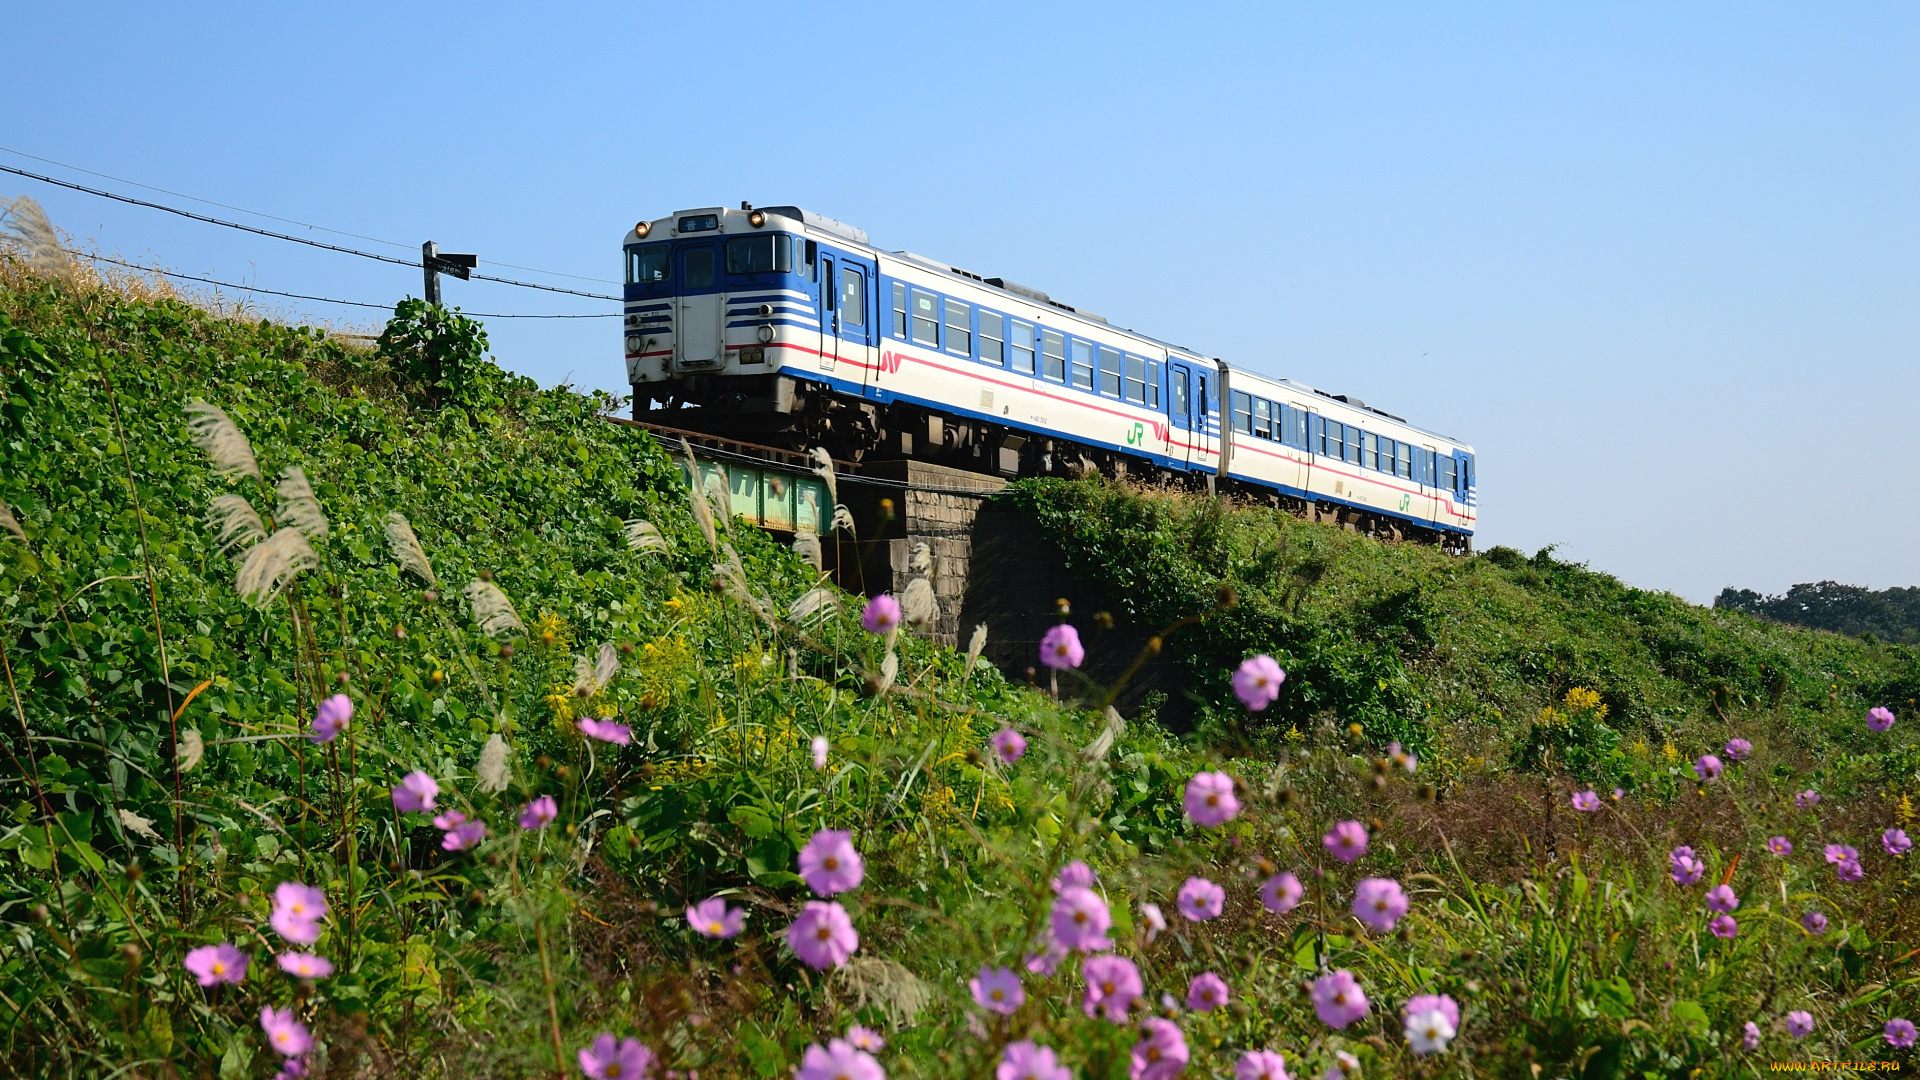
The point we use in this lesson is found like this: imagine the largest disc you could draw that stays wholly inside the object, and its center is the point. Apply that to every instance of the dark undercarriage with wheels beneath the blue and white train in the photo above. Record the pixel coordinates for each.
(794, 414)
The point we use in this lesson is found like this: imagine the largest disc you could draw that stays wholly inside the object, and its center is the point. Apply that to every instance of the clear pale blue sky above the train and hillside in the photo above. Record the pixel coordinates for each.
(1658, 262)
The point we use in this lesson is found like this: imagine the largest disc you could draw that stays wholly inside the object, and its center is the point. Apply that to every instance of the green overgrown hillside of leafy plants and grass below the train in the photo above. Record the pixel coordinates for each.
(162, 787)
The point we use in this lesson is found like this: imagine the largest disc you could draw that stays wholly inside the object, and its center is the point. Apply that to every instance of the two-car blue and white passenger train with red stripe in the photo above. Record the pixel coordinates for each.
(784, 326)
